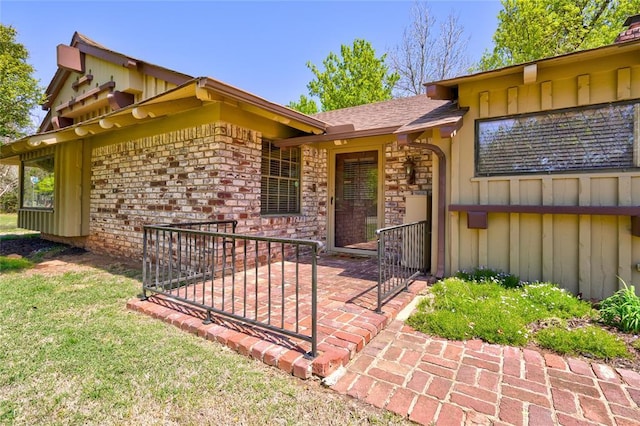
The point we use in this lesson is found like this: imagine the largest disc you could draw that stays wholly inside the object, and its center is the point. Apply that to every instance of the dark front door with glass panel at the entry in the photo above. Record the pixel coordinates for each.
(356, 205)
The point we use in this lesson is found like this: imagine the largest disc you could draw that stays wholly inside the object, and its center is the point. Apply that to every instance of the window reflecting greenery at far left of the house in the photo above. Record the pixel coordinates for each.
(38, 183)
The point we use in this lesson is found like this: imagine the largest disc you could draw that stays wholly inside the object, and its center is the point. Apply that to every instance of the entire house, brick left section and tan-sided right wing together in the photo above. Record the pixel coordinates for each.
(533, 169)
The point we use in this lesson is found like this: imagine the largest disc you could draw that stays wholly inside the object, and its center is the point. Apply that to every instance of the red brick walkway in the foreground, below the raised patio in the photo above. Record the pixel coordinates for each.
(432, 380)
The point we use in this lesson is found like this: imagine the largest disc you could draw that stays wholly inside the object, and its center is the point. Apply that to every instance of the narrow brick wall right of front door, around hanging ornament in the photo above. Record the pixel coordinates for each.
(396, 187)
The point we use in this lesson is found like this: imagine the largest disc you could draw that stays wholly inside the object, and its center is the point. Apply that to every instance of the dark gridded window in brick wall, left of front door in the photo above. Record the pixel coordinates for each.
(280, 189)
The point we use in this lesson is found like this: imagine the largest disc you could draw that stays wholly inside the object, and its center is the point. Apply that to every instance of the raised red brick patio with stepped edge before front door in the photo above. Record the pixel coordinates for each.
(347, 321)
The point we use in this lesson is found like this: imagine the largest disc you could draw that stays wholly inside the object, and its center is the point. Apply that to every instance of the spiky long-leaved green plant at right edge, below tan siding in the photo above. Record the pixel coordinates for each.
(622, 310)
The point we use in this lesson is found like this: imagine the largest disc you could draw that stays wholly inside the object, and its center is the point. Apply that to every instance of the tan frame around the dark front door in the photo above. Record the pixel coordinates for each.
(353, 147)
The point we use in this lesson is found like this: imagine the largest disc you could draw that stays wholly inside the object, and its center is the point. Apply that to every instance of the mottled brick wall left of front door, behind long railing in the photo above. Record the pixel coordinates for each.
(201, 173)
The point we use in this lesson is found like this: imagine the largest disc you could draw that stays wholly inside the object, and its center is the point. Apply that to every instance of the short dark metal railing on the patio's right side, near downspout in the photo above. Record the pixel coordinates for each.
(402, 256)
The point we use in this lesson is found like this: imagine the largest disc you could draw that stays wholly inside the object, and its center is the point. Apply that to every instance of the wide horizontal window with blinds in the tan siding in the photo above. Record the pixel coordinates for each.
(593, 138)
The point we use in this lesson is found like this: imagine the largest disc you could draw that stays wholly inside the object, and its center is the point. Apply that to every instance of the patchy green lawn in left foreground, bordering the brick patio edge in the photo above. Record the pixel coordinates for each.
(72, 354)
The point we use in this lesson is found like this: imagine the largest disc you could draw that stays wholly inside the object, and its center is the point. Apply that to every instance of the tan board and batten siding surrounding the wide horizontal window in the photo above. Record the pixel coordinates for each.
(583, 253)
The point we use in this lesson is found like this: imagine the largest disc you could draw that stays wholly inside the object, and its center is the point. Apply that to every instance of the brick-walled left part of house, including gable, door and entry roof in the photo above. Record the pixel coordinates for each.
(127, 143)
